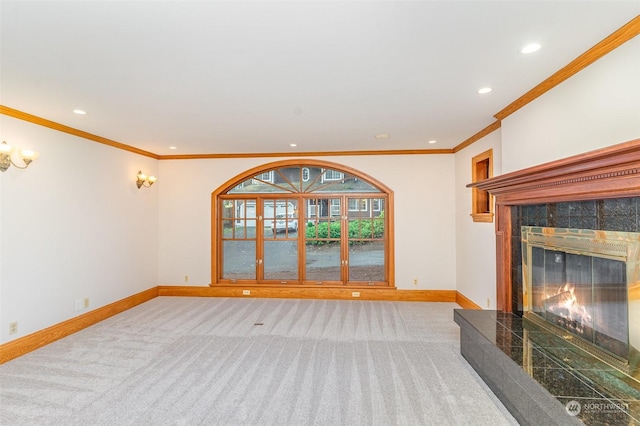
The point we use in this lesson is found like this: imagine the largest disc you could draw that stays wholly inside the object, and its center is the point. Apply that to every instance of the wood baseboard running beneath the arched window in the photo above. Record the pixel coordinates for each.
(311, 293)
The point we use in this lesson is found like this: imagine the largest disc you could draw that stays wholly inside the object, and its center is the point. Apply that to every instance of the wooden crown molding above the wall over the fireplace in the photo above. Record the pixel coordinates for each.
(610, 43)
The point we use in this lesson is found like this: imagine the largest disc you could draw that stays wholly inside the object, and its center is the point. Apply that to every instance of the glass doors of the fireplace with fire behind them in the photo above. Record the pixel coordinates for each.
(584, 295)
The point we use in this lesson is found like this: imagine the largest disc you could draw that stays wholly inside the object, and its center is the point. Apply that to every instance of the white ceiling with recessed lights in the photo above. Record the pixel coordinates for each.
(212, 77)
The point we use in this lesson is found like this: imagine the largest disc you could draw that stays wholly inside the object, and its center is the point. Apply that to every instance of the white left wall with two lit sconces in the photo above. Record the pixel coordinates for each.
(73, 226)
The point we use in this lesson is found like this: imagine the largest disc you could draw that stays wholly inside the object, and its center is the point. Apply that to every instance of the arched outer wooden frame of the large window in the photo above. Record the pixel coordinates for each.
(229, 185)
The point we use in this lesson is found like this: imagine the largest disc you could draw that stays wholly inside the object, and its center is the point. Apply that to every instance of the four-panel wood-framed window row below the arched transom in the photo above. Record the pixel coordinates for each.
(328, 240)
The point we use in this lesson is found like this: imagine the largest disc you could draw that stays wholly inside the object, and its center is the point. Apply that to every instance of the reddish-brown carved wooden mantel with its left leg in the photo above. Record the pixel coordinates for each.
(611, 172)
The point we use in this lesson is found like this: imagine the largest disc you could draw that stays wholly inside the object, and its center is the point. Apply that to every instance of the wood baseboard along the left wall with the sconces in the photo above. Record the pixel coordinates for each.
(23, 345)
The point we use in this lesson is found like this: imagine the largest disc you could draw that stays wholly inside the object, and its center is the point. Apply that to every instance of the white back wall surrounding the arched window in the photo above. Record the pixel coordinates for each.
(423, 188)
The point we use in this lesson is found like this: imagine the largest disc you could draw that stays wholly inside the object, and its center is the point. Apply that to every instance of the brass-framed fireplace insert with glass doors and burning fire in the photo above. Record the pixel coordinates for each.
(583, 285)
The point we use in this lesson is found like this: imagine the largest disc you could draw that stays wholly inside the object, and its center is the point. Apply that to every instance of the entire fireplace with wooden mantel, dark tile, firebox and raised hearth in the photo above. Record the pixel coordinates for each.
(575, 269)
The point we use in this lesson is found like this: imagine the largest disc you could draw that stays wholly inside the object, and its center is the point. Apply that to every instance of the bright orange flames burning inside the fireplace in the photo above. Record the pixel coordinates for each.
(564, 304)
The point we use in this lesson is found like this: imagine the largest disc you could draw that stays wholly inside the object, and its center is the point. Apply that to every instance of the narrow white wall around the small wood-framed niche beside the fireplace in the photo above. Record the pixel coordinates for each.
(475, 241)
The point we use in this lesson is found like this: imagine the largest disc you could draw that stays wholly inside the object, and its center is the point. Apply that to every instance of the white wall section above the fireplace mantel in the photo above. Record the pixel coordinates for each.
(598, 107)
